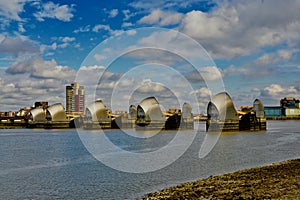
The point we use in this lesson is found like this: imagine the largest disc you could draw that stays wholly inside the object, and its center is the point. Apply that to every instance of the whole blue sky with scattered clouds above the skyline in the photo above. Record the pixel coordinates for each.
(252, 48)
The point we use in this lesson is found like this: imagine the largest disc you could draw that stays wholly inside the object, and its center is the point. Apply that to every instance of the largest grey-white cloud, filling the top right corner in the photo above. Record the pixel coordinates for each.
(237, 28)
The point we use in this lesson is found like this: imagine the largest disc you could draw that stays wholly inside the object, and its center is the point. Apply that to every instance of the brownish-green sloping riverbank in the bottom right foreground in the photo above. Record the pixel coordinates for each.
(276, 181)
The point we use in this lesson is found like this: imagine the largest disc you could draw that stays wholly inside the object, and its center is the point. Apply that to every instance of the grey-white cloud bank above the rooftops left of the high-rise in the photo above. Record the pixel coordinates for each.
(33, 80)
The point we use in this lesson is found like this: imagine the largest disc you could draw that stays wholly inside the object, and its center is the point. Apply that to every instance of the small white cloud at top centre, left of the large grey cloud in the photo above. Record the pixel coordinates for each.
(162, 18)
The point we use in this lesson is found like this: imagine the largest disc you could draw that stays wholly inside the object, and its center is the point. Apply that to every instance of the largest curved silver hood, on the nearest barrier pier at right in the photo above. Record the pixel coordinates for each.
(221, 108)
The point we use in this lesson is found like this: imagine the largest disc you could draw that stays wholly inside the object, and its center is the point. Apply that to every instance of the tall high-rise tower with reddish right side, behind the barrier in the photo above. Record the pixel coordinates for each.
(75, 99)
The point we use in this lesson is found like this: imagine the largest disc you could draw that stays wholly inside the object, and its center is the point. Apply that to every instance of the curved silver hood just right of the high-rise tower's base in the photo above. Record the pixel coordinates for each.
(96, 111)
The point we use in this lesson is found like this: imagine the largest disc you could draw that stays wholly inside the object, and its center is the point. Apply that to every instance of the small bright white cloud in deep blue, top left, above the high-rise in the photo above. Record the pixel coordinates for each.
(55, 11)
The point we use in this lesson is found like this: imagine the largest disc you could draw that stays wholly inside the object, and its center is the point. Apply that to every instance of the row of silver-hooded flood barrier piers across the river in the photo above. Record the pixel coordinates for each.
(147, 115)
